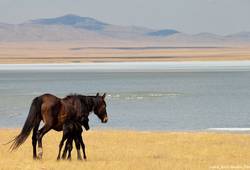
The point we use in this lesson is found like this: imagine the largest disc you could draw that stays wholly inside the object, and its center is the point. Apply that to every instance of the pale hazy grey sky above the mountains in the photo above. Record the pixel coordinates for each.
(190, 16)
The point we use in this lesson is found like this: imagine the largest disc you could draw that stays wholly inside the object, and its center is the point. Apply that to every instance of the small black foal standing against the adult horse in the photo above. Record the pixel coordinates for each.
(72, 130)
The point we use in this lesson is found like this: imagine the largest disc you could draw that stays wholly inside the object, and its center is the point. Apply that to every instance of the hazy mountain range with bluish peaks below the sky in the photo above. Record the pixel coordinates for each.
(76, 28)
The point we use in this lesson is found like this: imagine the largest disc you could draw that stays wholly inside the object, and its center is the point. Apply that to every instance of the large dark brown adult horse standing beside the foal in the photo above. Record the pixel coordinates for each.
(54, 111)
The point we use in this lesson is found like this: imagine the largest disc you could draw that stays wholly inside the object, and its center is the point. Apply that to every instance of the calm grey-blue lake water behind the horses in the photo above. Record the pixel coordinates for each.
(138, 101)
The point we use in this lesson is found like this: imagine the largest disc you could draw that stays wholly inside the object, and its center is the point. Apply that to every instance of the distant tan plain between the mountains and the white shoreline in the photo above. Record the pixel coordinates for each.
(49, 52)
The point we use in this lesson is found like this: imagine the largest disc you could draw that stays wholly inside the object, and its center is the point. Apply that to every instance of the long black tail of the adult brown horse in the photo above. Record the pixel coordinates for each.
(31, 121)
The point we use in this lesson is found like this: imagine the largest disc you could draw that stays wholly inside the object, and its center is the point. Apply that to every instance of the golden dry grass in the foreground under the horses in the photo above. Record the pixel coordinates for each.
(111, 149)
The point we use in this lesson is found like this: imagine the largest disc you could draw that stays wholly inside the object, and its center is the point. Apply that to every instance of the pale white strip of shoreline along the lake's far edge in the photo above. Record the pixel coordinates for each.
(133, 66)
